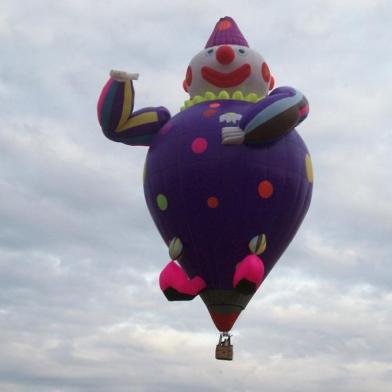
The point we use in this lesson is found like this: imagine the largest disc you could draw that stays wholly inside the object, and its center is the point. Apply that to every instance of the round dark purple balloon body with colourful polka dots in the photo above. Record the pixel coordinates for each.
(217, 197)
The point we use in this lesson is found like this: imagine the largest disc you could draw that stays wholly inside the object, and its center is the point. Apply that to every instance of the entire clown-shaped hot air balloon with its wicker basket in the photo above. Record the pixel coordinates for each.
(228, 180)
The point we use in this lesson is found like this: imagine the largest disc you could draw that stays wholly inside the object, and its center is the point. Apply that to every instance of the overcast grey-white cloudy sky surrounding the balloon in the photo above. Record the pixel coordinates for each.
(80, 304)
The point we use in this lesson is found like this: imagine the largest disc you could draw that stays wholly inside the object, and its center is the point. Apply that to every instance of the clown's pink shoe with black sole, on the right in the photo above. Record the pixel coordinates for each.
(248, 275)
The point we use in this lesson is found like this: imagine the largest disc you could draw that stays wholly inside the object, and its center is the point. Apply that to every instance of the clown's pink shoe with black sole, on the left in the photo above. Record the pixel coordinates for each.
(177, 286)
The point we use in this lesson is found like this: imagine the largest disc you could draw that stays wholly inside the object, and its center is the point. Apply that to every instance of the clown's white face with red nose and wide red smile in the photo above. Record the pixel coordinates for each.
(230, 68)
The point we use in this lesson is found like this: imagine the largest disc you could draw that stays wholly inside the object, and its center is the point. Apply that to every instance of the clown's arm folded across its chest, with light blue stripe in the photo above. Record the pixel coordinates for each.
(270, 118)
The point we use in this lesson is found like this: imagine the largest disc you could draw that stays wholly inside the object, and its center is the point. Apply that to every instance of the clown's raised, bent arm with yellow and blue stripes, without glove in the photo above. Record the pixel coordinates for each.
(118, 121)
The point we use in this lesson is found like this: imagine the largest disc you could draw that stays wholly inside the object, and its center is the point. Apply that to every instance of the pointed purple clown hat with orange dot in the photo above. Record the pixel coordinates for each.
(227, 32)
